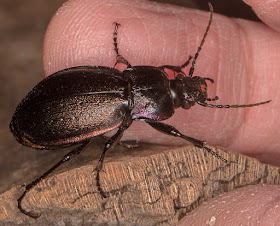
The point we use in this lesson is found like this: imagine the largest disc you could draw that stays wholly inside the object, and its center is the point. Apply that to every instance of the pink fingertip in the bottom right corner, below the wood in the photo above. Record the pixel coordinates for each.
(251, 205)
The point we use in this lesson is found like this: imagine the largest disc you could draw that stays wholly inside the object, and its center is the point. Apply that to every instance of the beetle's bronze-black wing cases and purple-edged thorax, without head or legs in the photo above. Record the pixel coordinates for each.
(78, 103)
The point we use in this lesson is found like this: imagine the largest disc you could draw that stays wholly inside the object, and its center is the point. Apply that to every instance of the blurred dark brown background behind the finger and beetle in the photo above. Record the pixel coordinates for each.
(22, 27)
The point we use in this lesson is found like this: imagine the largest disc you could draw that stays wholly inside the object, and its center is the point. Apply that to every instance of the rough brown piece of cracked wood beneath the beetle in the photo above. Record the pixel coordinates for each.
(148, 185)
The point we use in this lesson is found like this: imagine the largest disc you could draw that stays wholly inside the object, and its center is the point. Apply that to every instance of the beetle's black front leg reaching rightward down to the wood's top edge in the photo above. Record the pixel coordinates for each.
(170, 130)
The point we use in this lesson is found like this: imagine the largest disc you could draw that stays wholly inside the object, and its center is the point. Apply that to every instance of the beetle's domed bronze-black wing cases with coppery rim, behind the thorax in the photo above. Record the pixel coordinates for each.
(70, 106)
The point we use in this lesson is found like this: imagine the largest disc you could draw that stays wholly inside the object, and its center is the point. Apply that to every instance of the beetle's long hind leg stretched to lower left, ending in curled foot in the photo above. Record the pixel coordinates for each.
(28, 187)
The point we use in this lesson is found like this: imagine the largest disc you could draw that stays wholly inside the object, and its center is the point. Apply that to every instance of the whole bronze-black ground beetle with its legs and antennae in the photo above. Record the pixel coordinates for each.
(76, 104)
